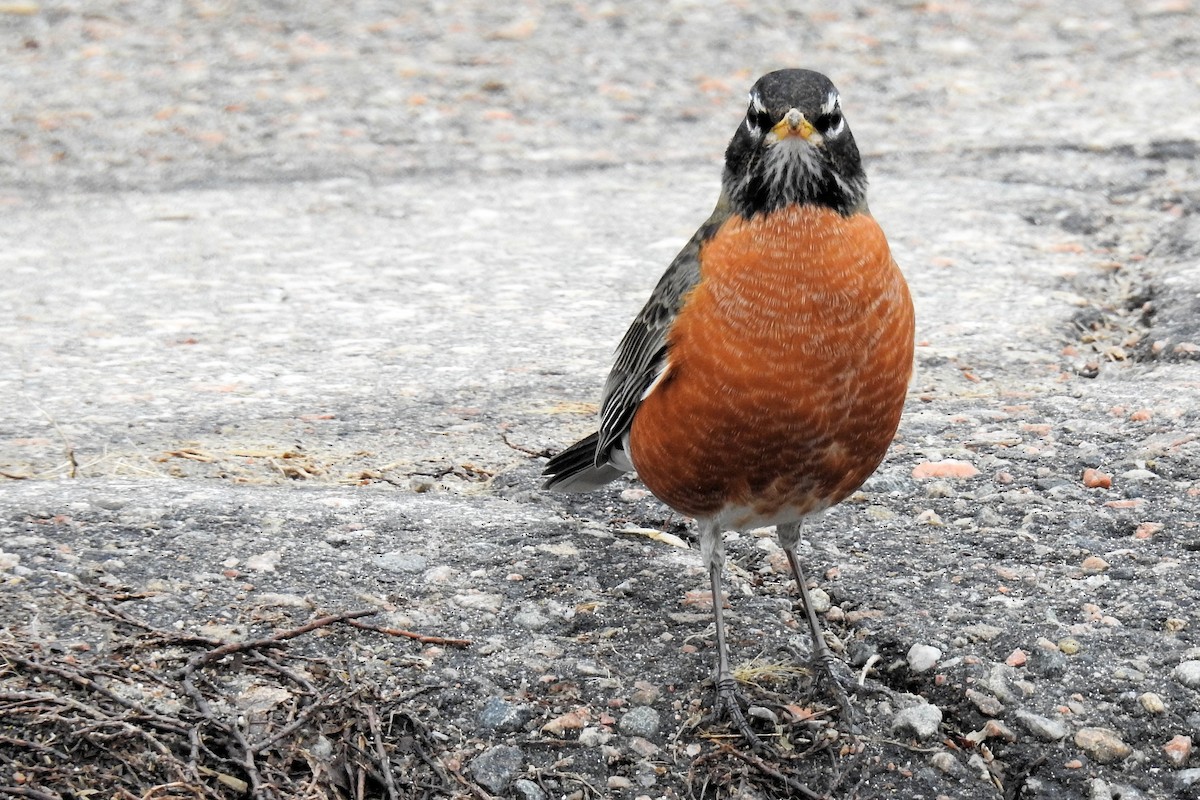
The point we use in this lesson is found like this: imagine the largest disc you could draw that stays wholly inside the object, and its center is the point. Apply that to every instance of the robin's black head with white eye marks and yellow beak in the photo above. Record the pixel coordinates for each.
(794, 147)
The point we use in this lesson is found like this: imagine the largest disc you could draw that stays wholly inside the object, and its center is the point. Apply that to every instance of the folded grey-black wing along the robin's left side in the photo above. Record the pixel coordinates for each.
(643, 353)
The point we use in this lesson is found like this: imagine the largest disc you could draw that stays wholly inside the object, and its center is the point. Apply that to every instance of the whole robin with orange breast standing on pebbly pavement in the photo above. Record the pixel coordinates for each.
(765, 380)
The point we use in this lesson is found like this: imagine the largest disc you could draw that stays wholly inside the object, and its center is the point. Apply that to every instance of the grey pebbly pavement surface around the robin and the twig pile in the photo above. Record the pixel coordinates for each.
(299, 299)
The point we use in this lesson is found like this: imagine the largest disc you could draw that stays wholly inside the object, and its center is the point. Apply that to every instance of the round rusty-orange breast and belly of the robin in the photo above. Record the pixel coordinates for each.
(788, 371)
